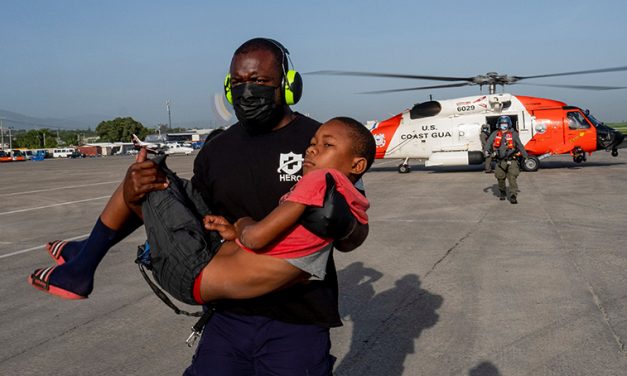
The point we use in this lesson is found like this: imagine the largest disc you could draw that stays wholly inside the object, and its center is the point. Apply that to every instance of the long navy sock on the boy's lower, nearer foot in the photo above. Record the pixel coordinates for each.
(77, 275)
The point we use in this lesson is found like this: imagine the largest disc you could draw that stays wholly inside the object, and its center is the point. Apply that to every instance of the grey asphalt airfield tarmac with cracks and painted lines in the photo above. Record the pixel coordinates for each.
(451, 281)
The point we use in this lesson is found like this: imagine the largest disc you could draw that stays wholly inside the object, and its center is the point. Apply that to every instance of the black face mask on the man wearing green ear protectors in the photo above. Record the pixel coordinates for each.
(255, 107)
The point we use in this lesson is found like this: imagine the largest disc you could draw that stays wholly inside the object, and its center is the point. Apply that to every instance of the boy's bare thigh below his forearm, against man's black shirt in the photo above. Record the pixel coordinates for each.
(237, 274)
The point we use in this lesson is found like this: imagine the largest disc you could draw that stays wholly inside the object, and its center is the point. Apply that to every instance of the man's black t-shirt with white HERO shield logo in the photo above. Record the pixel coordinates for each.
(242, 175)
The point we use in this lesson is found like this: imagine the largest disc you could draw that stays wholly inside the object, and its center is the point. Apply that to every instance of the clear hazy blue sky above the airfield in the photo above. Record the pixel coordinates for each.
(103, 59)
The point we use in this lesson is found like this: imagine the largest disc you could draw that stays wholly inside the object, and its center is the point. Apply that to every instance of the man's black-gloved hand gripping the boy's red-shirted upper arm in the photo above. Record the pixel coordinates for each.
(334, 219)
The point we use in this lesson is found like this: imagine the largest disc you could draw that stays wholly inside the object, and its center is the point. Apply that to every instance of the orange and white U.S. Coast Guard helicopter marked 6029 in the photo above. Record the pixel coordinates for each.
(447, 132)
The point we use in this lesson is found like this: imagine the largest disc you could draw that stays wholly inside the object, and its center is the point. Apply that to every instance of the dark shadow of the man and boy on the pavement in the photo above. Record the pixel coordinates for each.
(385, 325)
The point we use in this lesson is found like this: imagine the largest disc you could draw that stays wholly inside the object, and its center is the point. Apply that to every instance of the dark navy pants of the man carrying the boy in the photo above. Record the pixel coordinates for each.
(234, 345)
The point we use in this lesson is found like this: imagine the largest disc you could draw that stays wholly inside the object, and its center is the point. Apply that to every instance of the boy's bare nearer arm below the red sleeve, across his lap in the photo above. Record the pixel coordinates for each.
(256, 235)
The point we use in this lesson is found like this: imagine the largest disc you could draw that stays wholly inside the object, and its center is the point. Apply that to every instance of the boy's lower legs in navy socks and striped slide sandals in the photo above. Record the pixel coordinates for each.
(75, 277)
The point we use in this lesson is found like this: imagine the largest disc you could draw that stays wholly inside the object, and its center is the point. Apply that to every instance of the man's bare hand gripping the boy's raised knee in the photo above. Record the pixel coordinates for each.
(142, 177)
